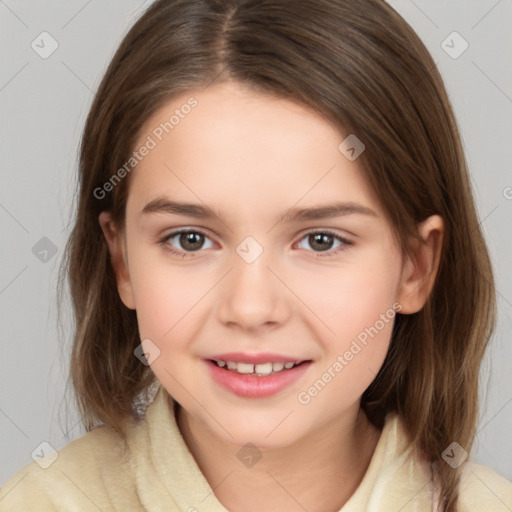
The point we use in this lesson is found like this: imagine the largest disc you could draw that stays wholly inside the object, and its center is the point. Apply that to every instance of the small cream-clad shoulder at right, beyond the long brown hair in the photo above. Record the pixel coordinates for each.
(482, 488)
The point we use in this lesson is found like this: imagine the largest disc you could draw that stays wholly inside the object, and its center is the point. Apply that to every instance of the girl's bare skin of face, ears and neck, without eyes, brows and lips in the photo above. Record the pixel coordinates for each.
(252, 157)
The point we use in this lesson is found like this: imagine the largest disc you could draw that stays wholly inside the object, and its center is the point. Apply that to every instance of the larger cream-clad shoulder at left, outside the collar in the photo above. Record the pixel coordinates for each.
(85, 472)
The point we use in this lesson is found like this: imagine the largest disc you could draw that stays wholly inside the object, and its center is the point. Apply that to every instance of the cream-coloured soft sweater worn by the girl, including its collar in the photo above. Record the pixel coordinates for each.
(159, 474)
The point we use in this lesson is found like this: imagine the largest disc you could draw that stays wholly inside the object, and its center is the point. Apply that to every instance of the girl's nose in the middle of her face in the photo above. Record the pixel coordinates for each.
(252, 296)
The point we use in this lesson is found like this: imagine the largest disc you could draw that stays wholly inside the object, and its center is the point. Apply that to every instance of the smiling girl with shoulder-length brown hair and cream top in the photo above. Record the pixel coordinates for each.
(281, 288)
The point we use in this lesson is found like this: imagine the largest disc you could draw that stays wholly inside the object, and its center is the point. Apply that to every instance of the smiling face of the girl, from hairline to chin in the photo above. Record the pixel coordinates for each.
(273, 275)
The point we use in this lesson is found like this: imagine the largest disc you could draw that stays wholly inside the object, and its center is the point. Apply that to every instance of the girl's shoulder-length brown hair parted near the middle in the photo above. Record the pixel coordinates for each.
(358, 64)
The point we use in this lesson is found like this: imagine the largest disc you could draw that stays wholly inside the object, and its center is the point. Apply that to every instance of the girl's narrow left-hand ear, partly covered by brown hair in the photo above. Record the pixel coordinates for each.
(118, 258)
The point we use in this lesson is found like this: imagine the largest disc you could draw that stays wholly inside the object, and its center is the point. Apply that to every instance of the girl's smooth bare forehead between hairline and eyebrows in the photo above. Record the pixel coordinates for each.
(227, 145)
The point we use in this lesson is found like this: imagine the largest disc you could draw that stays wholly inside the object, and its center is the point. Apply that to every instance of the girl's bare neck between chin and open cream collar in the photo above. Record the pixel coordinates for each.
(318, 473)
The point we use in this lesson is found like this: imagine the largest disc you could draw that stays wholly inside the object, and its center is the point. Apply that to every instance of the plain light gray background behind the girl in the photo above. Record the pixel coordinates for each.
(43, 104)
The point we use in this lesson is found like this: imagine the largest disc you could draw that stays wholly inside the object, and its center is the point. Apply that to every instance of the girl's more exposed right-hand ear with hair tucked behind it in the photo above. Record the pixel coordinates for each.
(420, 268)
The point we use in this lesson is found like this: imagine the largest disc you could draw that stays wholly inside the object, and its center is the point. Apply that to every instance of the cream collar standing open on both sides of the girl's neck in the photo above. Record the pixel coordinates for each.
(166, 471)
